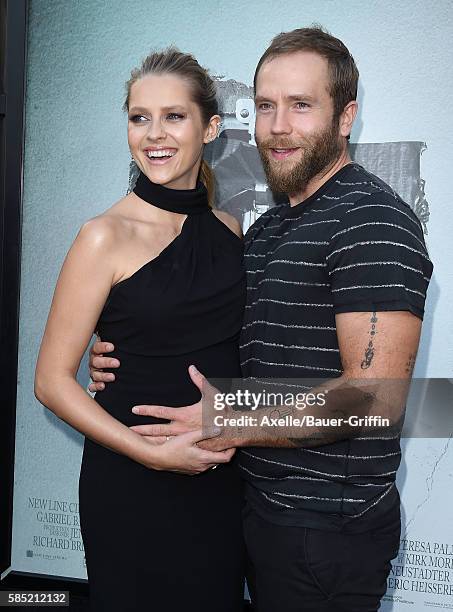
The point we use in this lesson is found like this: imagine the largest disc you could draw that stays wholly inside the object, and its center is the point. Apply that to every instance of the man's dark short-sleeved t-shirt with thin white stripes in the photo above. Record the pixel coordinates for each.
(353, 246)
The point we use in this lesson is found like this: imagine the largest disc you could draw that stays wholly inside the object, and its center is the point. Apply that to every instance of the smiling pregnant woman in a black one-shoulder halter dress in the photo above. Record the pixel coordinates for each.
(169, 293)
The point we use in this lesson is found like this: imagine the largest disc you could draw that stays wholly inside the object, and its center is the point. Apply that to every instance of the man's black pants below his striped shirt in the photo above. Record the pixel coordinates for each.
(296, 569)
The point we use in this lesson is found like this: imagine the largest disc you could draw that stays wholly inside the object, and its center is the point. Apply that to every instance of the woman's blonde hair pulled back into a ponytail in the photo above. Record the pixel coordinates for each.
(202, 86)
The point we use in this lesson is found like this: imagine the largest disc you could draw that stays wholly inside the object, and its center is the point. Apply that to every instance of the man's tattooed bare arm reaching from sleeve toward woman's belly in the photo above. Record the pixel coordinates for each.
(378, 351)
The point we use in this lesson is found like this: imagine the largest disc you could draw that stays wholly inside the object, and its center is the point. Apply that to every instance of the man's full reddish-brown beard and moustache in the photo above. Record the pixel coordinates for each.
(318, 152)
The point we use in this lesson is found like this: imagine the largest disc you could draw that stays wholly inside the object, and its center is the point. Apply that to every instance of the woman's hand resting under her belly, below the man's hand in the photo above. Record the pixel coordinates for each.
(181, 454)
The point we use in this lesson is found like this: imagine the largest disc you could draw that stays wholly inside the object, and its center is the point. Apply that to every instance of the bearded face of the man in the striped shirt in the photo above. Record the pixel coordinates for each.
(295, 133)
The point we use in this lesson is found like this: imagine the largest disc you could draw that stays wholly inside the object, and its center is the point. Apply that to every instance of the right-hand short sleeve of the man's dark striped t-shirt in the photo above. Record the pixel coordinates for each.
(377, 258)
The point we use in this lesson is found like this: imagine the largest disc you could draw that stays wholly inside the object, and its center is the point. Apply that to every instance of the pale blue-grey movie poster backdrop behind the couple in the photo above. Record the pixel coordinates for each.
(77, 164)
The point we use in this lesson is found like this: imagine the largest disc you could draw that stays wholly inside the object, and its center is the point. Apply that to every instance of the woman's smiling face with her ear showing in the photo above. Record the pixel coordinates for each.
(165, 131)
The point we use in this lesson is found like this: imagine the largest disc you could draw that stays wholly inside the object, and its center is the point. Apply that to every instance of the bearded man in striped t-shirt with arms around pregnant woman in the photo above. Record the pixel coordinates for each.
(336, 289)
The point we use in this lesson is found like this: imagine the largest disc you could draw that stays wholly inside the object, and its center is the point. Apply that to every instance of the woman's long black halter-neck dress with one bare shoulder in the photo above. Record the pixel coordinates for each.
(159, 541)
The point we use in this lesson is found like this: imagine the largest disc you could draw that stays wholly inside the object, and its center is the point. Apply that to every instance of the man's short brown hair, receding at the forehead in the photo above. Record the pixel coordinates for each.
(343, 71)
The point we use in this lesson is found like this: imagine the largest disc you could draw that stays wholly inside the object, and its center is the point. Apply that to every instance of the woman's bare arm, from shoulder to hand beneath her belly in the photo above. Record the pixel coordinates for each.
(80, 294)
